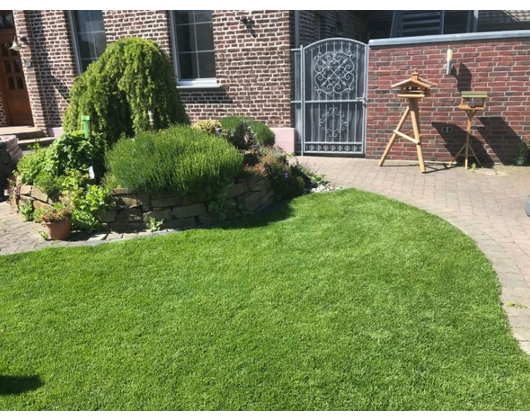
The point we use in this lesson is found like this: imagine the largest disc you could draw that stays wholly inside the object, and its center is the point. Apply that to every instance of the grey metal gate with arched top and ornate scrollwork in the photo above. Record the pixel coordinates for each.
(330, 96)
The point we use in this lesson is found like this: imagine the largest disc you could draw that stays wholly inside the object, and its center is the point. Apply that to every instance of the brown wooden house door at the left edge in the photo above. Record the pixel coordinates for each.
(12, 82)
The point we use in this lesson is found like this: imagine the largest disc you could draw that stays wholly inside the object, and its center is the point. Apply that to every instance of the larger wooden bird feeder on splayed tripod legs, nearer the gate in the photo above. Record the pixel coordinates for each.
(412, 89)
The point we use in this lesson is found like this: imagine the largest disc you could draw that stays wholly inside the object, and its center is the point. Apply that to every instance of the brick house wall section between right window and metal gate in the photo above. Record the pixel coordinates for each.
(254, 69)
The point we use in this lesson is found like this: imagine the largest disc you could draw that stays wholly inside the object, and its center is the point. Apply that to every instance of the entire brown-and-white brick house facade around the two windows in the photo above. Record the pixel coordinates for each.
(253, 69)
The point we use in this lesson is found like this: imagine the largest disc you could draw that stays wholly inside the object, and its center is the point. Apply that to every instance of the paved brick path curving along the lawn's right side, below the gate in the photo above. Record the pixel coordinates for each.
(487, 204)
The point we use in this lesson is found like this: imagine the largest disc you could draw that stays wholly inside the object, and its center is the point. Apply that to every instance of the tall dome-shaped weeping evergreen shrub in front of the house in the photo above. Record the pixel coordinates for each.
(131, 78)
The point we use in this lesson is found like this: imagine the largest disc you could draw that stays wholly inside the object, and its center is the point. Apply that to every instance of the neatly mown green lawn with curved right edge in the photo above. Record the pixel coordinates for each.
(338, 301)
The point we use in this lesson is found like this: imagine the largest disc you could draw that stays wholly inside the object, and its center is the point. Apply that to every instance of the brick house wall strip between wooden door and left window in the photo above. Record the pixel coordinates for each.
(53, 68)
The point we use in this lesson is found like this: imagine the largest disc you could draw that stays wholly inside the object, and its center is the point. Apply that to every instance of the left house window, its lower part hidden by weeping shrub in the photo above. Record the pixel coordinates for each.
(89, 36)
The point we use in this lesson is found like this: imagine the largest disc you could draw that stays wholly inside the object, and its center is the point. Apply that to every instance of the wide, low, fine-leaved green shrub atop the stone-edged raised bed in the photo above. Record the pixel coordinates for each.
(181, 160)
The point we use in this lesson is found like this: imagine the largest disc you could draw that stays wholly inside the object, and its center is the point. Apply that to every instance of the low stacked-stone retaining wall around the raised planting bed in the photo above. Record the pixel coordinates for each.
(133, 211)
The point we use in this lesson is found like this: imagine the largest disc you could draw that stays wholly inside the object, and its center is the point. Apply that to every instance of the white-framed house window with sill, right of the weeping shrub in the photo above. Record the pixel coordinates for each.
(194, 47)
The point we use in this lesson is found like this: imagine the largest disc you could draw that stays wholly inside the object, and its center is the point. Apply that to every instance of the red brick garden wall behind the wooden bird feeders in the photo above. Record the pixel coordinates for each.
(502, 68)
